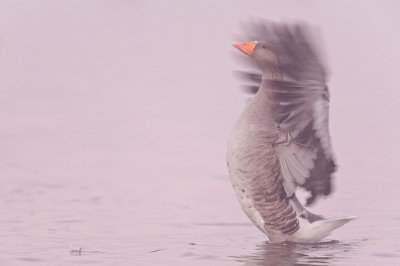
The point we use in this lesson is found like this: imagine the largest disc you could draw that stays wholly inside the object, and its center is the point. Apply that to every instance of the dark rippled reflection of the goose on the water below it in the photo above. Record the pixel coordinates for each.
(322, 253)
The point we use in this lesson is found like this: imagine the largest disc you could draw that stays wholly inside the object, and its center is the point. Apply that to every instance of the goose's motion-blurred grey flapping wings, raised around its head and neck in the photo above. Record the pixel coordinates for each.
(302, 107)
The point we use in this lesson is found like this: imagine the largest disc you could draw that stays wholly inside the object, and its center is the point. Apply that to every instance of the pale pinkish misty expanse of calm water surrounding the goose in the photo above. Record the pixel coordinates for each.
(114, 119)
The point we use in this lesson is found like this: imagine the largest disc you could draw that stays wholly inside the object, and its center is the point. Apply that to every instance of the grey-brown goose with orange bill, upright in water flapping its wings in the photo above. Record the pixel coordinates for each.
(281, 140)
